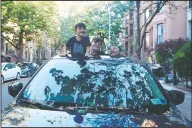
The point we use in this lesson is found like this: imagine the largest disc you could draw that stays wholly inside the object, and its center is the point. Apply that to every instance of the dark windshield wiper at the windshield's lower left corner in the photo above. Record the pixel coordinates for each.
(39, 105)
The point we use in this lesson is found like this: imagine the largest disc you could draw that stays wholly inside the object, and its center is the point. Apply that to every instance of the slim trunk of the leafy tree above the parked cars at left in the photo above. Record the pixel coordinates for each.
(20, 57)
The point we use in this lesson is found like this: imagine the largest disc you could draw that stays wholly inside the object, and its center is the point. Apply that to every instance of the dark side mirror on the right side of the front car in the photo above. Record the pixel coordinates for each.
(177, 96)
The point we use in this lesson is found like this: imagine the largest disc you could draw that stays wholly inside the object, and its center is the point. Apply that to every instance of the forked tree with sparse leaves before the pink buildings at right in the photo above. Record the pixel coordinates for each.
(153, 7)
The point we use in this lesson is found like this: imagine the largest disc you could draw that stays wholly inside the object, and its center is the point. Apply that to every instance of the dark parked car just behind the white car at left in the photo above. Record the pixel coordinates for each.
(28, 69)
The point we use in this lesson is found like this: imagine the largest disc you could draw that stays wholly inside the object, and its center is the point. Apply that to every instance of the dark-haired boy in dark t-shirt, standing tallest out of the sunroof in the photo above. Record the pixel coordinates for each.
(78, 44)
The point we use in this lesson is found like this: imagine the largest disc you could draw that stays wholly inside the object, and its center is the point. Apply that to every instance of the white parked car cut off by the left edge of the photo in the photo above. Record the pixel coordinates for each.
(9, 71)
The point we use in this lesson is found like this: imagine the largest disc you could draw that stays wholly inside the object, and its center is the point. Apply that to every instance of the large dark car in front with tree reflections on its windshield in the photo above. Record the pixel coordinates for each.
(105, 92)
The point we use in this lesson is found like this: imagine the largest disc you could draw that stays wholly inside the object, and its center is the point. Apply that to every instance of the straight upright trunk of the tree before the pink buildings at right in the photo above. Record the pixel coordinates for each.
(138, 52)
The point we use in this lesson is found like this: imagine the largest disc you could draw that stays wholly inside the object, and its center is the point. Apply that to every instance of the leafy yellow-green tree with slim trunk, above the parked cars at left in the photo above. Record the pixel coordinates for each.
(29, 18)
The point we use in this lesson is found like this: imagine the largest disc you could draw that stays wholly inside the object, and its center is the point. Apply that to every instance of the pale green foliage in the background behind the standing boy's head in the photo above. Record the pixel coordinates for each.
(96, 18)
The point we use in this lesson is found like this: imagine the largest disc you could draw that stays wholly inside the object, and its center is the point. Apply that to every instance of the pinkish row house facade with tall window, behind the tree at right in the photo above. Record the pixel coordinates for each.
(163, 26)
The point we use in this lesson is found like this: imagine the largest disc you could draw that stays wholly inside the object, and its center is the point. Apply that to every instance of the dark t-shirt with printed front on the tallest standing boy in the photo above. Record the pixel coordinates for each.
(78, 48)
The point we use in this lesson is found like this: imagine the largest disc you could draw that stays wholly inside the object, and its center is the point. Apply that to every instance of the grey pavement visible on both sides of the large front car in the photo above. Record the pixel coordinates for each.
(185, 107)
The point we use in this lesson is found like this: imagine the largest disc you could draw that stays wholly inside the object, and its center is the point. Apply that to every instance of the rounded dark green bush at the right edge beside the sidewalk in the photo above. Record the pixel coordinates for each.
(182, 61)
